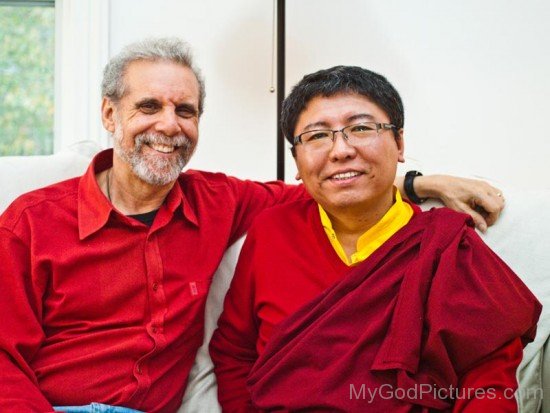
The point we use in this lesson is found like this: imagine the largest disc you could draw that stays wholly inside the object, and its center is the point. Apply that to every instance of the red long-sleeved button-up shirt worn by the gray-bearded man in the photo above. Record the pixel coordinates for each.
(98, 307)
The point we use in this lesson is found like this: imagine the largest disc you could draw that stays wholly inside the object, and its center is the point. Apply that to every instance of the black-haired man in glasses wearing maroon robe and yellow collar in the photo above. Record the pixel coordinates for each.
(355, 300)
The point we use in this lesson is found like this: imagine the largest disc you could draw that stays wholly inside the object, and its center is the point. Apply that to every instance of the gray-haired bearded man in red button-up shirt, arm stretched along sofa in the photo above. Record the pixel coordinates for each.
(105, 276)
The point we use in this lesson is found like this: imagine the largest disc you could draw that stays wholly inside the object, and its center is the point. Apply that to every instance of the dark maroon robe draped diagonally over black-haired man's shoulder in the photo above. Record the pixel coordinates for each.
(427, 306)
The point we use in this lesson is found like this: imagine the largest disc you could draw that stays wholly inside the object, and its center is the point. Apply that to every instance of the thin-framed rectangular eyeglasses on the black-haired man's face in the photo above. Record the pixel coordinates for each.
(357, 135)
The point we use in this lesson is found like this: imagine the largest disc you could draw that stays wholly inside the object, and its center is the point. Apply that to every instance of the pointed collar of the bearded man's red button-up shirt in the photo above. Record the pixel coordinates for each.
(94, 208)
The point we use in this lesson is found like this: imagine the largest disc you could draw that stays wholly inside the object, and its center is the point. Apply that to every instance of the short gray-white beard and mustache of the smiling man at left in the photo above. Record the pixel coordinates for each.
(155, 170)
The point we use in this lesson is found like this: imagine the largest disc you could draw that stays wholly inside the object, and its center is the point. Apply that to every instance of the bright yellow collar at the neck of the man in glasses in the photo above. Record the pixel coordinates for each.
(396, 218)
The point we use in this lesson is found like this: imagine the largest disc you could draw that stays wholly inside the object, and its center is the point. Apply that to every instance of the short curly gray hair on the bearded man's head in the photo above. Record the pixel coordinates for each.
(153, 49)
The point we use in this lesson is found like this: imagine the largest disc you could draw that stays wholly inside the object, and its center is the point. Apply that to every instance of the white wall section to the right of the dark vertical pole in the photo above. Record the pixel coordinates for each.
(473, 75)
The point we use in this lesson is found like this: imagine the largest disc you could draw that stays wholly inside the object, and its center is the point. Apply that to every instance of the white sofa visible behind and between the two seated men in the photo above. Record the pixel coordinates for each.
(521, 238)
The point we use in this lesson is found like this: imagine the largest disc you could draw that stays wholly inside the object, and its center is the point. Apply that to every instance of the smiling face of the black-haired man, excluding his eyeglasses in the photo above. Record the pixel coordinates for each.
(346, 179)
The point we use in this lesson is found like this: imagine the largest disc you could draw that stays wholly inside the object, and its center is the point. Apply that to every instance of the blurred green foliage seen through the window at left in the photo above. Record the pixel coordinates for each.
(26, 80)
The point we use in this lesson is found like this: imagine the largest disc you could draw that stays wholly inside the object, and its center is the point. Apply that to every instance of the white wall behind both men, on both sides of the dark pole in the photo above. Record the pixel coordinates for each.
(472, 74)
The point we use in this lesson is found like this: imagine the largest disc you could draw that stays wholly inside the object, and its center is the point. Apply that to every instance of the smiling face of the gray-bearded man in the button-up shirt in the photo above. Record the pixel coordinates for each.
(155, 123)
